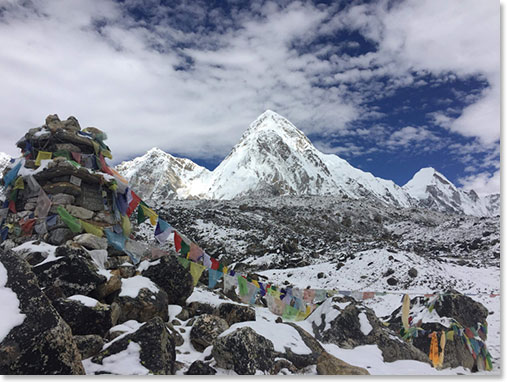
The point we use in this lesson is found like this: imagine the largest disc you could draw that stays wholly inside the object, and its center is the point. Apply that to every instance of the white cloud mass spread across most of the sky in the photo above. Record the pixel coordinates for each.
(91, 60)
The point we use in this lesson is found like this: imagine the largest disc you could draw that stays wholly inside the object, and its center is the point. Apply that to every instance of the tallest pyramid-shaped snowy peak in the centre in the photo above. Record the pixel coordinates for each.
(275, 158)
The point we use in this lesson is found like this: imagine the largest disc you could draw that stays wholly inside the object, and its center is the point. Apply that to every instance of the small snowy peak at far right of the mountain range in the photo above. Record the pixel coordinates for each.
(433, 190)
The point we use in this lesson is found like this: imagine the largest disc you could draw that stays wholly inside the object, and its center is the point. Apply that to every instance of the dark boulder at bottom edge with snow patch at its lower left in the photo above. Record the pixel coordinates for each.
(157, 352)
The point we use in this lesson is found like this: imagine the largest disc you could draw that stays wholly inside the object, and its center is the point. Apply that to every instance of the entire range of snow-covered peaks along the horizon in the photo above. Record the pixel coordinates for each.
(274, 158)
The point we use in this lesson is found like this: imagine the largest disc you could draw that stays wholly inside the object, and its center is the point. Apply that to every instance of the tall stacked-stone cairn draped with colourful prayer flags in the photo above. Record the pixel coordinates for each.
(62, 167)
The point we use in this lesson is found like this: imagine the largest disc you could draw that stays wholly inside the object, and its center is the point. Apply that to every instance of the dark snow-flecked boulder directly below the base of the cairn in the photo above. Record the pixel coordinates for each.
(73, 273)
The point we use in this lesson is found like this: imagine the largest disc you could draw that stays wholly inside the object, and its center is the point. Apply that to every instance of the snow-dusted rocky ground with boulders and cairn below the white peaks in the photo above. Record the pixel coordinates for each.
(88, 289)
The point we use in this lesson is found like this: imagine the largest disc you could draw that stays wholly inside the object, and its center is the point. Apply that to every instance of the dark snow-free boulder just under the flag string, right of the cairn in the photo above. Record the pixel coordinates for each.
(172, 278)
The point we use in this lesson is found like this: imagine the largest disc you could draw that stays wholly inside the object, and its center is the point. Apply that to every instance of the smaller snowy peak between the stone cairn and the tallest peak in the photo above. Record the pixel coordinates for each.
(158, 176)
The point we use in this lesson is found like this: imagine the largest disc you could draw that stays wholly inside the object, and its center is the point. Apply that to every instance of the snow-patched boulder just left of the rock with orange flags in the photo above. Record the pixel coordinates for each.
(354, 325)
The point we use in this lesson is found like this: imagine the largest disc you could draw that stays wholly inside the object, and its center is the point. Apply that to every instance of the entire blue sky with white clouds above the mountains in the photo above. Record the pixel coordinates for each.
(390, 86)
